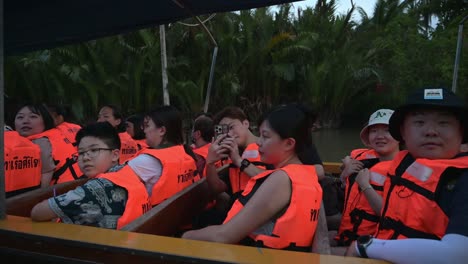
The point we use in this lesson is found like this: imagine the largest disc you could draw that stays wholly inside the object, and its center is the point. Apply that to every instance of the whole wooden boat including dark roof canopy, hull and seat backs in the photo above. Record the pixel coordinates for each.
(31, 26)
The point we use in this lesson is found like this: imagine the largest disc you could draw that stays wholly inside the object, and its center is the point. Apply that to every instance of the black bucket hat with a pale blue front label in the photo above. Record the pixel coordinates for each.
(440, 98)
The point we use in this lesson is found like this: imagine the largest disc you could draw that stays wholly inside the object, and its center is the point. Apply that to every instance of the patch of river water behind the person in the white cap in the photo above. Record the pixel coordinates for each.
(334, 144)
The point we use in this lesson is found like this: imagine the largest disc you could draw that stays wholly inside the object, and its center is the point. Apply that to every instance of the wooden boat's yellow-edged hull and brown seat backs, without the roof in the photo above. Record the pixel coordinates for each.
(147, 239)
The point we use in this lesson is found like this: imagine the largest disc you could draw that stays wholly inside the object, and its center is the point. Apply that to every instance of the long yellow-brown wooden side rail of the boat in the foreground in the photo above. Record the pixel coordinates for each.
(105, 245)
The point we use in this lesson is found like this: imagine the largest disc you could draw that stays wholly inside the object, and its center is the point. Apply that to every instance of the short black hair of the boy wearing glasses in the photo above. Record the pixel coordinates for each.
(101, 130)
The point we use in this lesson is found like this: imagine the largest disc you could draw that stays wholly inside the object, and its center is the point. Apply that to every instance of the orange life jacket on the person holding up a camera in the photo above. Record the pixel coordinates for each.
(239, 179)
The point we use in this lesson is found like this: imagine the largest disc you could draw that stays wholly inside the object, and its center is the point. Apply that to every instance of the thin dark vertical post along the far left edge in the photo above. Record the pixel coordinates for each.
(2, 121)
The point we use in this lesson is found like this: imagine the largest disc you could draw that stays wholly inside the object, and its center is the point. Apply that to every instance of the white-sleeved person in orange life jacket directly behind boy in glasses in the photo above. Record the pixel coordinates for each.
(168, 164)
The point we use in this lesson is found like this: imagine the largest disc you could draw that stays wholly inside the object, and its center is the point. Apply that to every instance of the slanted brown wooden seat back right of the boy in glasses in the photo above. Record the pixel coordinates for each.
(167, 217)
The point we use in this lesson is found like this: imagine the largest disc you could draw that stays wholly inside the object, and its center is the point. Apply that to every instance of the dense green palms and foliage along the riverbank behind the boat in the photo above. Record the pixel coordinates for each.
(343, 65)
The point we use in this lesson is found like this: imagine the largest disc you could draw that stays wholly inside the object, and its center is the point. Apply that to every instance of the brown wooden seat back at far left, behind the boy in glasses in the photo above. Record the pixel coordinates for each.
(22, 204)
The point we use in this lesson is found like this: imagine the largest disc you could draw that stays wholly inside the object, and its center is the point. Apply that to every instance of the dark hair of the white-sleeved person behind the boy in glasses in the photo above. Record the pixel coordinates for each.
(169, 117)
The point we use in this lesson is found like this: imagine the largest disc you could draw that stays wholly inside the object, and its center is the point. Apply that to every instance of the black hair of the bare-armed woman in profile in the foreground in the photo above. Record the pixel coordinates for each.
(291, 121)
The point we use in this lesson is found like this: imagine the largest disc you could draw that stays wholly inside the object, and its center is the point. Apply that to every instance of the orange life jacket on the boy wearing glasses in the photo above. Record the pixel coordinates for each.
(137, 197)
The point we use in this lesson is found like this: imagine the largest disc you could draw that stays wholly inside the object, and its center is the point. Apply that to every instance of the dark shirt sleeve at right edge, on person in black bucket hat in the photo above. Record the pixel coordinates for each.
(453, 200)
